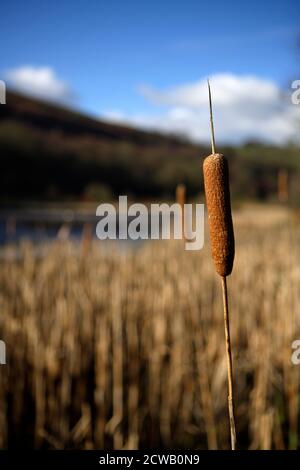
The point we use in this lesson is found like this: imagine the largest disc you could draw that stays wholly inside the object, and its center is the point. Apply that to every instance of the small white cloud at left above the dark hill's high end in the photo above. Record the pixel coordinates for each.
(39, 81)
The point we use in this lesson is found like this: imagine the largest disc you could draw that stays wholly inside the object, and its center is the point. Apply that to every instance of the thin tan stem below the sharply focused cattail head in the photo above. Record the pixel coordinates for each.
(229, 365)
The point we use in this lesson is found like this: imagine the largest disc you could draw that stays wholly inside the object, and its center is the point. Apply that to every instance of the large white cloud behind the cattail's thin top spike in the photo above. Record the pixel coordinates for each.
(245, 107)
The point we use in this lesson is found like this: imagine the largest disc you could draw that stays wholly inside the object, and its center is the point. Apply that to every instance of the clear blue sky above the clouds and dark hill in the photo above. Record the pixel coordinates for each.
(105, 54)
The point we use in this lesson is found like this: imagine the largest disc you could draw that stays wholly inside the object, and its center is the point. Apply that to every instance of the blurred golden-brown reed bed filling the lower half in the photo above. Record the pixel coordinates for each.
(125, 349)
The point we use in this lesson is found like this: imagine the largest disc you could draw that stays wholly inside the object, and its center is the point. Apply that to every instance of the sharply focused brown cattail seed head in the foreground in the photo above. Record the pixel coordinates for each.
(216, 184)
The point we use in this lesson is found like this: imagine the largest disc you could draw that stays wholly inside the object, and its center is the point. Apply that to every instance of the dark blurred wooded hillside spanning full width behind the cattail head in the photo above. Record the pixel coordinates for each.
(52, 154)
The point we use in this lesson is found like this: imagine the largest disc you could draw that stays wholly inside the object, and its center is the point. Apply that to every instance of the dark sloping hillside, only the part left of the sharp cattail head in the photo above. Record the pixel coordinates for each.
(48, 152)
